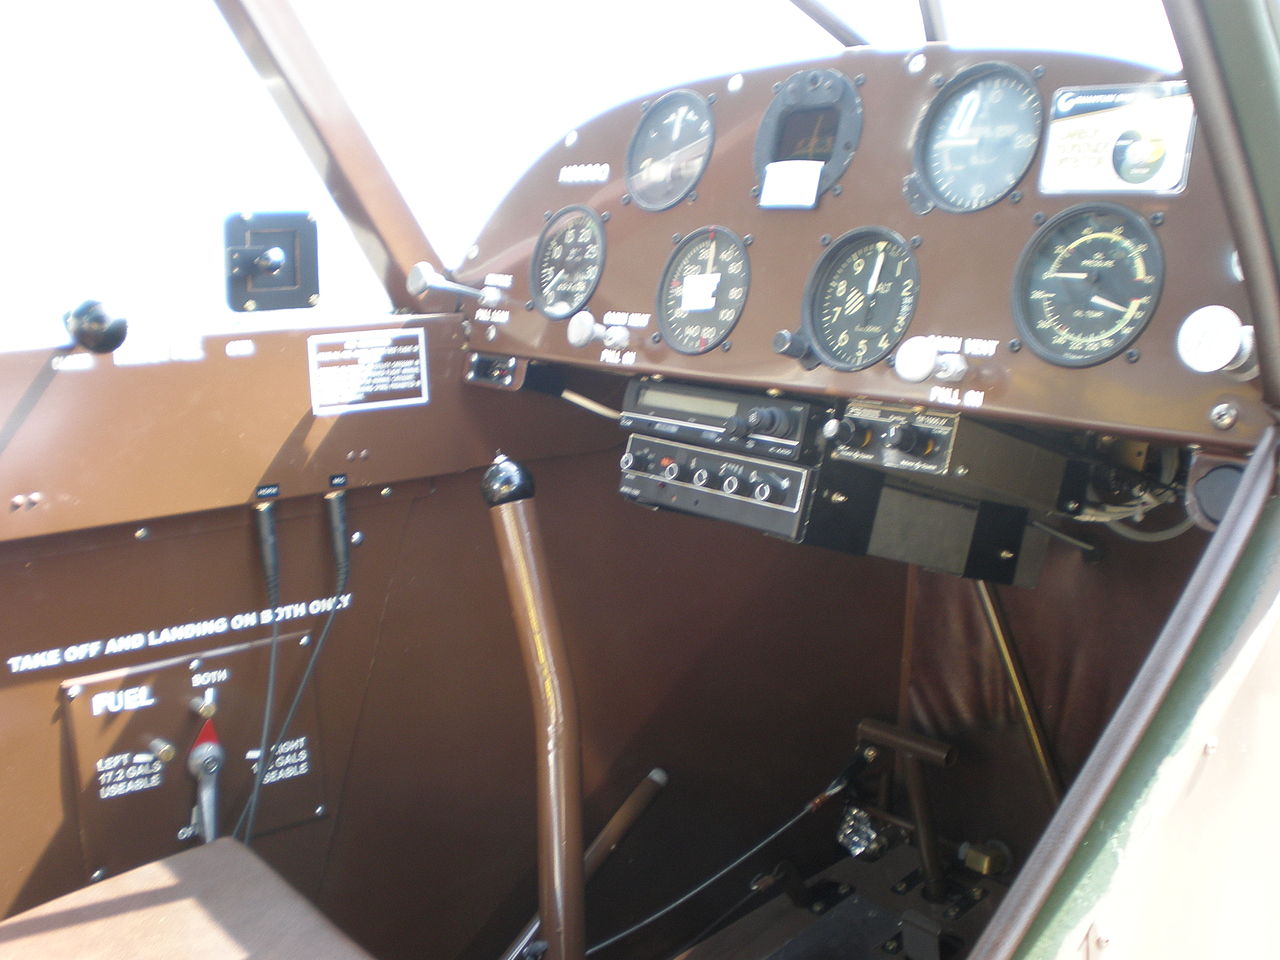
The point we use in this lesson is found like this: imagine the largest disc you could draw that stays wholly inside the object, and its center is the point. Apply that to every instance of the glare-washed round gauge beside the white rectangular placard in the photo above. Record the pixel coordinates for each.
(979, 136)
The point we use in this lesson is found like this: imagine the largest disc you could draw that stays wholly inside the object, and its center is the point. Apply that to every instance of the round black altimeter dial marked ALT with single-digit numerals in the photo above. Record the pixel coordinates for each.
(861, 299)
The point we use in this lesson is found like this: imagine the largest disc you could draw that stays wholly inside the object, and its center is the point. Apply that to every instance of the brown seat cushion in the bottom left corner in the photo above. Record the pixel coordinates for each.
(217, 902)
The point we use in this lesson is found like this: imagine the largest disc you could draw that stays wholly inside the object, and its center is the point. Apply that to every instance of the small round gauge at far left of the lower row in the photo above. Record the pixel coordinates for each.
(568, 262)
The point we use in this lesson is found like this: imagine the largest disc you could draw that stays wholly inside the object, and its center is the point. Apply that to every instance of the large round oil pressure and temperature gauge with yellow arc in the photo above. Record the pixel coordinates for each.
(1087, 285)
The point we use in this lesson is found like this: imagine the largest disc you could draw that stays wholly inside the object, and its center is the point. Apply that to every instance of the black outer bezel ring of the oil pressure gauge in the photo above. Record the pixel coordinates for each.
(1136, 225)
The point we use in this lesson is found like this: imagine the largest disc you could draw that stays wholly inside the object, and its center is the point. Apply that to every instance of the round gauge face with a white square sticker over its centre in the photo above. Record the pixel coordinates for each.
(703, 290)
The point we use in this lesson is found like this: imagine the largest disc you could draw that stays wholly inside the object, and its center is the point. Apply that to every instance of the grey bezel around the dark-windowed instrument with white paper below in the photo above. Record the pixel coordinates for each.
(813, 90)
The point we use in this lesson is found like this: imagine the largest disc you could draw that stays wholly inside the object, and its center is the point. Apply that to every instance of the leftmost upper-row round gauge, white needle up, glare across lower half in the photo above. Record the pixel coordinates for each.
(670, 150)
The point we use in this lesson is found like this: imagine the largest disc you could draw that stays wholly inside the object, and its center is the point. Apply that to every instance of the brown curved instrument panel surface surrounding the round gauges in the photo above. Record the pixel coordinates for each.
(967, 260)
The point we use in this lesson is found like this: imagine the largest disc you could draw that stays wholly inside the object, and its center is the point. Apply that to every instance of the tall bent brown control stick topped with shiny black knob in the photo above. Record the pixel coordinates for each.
(509, 490)
